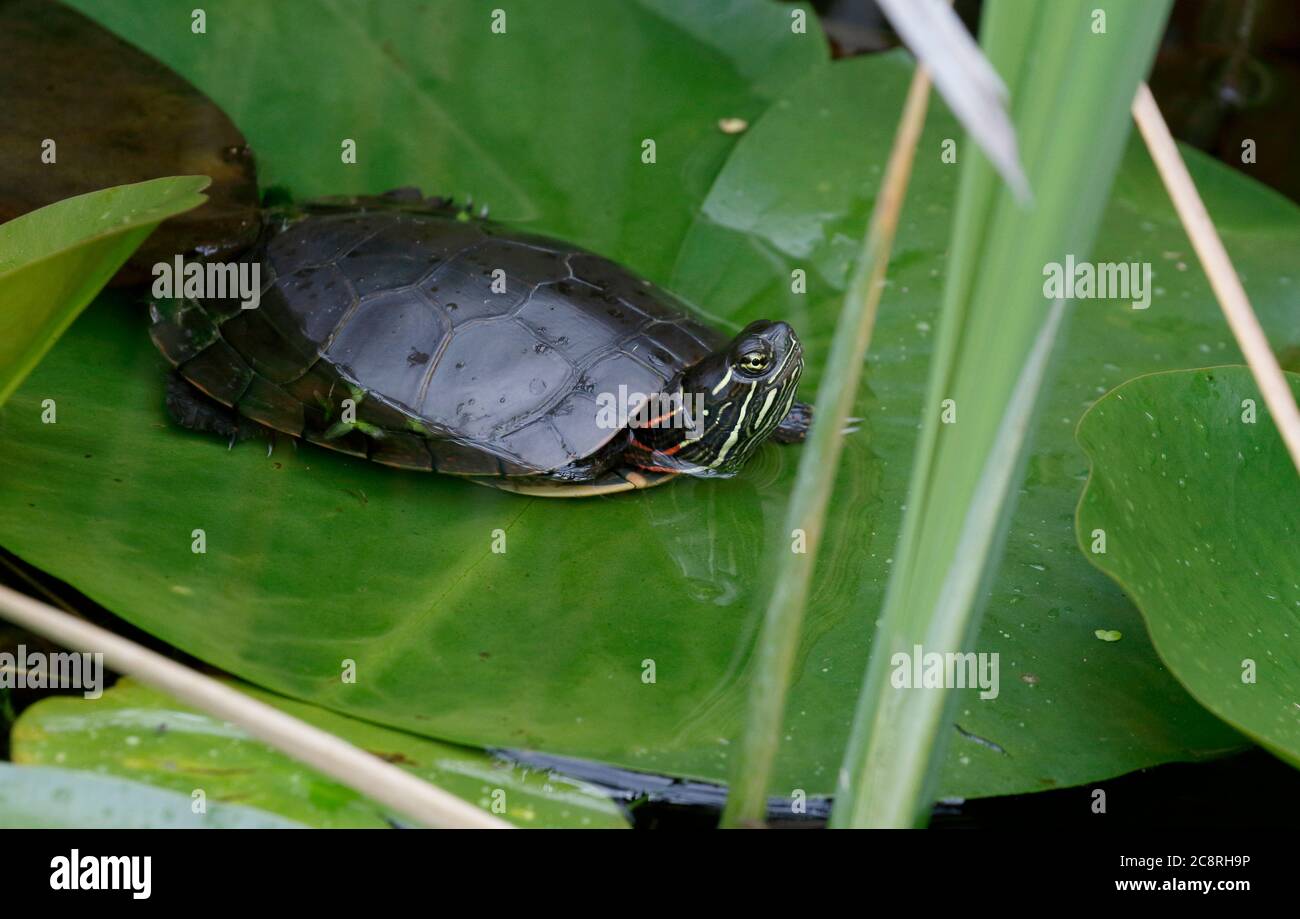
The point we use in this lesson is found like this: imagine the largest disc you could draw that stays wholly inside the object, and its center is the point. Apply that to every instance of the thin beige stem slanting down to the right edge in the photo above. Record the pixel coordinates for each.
(1219, 268)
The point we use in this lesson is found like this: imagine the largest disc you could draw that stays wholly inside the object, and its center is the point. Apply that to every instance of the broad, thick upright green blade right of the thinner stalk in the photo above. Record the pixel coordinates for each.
(1072, 86)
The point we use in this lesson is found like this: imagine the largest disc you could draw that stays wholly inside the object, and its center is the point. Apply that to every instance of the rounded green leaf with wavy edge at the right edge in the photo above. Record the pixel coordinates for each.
(1194, 501)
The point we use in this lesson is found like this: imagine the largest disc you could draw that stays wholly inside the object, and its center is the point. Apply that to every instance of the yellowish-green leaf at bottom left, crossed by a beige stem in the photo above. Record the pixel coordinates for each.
(137, 732)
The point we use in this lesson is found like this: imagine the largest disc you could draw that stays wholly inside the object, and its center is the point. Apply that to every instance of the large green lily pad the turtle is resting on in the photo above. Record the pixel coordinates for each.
(315, 558)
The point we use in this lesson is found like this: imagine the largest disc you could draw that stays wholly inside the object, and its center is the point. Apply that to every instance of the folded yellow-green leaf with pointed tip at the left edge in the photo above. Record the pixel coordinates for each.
(54, 261)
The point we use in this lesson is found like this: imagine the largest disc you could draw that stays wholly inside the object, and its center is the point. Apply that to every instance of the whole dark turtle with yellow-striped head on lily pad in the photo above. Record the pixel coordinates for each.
(423, 336)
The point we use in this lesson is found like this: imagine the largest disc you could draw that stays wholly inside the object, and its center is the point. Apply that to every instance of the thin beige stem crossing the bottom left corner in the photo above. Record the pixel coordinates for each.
(370, 775)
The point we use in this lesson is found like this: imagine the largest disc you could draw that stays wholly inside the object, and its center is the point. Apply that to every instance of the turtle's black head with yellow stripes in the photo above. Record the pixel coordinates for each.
(738, 396)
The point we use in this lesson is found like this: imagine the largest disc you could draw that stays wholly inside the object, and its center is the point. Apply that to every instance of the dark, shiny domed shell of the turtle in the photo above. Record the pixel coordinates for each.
(463, 346)
